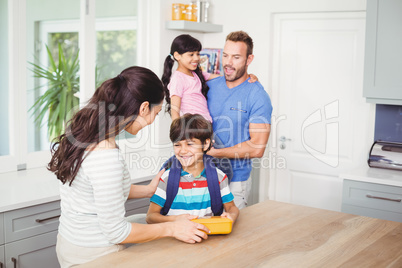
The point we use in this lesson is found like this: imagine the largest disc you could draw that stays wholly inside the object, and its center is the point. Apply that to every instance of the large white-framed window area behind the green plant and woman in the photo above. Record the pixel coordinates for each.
(24, 143)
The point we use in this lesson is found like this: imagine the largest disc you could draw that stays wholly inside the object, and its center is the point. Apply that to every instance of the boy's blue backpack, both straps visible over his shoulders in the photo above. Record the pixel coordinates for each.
(212, 180)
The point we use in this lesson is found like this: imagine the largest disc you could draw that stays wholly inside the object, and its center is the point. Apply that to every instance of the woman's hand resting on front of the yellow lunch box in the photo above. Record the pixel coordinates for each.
(189, 232)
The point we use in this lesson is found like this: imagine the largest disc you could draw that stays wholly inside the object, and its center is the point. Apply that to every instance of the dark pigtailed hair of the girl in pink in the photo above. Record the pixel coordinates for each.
(181, 44)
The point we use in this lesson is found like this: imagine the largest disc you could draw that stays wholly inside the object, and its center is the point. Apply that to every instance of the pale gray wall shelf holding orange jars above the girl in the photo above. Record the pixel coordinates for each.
(184, 25)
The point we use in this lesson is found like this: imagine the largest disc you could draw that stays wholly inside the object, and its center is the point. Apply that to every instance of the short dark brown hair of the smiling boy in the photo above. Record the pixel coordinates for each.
(191, 126)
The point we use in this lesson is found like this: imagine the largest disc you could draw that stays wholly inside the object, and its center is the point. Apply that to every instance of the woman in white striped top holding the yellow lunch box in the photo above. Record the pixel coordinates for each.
(95, 182)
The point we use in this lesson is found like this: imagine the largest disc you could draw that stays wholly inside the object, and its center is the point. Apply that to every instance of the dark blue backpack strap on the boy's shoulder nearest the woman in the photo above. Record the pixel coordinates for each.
(173, 184)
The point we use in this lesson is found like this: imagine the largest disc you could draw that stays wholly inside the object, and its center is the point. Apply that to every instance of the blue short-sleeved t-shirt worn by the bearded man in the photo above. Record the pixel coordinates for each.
(232, 110)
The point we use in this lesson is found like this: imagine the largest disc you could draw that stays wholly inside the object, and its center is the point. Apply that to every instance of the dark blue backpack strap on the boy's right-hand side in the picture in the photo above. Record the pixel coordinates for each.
(213, 185)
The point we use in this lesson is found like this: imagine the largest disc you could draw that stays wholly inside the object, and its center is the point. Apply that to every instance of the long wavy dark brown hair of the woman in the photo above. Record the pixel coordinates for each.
(113, 107)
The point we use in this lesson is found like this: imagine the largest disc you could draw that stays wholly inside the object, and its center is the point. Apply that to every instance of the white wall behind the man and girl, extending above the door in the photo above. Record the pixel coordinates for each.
(253, 17)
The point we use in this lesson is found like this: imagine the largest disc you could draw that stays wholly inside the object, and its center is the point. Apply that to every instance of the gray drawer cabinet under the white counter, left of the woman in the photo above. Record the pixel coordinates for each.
(30, 236)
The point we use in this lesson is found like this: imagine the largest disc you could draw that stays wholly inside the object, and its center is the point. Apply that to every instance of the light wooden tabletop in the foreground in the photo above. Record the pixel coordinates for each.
(274, 234)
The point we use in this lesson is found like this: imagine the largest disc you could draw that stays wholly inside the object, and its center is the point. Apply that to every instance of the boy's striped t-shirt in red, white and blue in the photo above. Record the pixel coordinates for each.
(193, 195)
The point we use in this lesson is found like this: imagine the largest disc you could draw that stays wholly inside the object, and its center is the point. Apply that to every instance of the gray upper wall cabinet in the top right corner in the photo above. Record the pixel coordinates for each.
(383, 52)
